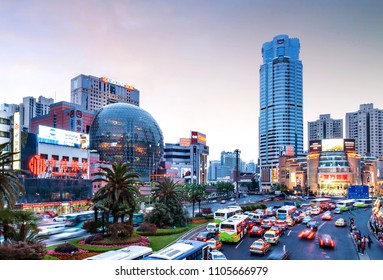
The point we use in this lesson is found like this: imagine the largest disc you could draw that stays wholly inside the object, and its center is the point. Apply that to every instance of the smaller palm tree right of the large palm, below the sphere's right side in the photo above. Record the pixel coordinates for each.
(167, 191)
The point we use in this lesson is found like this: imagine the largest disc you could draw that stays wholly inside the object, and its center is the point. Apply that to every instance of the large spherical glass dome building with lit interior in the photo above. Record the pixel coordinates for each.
(123, 132)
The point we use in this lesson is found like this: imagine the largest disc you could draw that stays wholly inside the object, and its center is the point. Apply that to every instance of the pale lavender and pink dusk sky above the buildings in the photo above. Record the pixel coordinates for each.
(196, 63)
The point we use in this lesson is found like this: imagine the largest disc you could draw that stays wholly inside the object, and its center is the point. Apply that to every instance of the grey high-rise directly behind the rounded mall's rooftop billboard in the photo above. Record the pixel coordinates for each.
(325, 128)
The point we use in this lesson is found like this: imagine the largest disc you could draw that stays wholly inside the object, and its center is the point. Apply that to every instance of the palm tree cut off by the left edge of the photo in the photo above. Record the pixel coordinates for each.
(10, 187)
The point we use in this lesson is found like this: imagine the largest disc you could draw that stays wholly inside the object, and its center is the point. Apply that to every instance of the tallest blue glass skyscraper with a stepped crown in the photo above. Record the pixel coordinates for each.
(281, 102)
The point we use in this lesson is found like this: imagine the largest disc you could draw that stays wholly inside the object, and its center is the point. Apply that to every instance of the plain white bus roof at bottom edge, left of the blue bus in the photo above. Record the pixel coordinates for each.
(132, 252)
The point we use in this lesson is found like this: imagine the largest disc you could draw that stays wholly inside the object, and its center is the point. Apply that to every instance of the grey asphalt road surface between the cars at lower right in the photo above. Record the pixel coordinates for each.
(309, 249)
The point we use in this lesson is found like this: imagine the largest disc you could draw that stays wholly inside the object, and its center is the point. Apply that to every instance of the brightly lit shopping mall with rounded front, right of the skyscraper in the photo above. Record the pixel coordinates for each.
(330, 167)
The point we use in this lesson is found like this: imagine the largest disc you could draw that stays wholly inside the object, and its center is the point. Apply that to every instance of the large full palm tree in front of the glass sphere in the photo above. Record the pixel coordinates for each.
(122, 188)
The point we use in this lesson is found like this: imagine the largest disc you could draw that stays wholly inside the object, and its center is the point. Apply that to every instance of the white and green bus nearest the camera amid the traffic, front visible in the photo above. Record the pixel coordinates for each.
(233, 229)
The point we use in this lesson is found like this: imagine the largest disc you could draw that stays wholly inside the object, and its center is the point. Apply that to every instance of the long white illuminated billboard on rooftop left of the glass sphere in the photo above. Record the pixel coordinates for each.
(55, 136)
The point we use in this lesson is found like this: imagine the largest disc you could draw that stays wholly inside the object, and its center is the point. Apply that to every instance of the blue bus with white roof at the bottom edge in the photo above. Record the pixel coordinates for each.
(182, 250)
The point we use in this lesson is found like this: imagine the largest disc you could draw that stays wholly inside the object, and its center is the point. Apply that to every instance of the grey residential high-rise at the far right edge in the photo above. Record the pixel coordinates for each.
(366, 127)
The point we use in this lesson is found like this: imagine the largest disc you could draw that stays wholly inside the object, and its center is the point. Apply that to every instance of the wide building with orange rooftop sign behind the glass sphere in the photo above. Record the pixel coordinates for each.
(93, 93)
